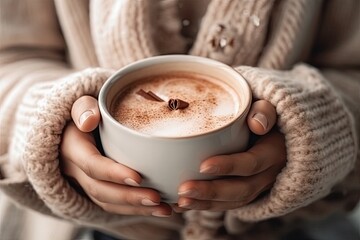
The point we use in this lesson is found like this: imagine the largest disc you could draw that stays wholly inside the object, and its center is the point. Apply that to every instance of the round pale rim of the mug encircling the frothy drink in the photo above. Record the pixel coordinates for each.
(155, 60)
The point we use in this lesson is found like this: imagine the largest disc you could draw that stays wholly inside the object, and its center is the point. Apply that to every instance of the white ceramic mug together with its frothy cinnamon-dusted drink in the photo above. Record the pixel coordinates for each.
(175, 111)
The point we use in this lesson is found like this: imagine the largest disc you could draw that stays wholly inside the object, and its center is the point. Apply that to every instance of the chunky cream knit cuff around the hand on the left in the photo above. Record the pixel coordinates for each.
(40, 153)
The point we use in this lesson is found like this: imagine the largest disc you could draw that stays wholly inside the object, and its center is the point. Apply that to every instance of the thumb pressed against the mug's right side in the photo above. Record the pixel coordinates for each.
(262, 117)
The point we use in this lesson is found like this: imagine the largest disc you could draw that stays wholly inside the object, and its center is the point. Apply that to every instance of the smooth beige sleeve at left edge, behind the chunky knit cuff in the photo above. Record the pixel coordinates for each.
(25, 60)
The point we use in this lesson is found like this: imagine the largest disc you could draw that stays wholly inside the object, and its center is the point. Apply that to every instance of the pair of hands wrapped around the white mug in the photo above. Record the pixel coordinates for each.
(116, 188)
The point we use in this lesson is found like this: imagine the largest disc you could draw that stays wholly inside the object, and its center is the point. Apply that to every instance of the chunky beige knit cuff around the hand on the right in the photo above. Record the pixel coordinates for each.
(319, 136)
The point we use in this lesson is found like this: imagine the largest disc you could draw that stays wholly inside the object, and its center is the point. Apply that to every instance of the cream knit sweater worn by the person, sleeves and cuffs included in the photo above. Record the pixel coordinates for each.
(51, 53)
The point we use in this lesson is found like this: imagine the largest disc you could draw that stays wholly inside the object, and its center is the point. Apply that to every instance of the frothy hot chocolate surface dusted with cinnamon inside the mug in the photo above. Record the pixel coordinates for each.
(176, 104)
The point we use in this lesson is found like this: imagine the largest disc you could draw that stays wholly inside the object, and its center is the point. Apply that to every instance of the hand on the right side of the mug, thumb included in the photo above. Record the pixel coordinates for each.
(240, 177)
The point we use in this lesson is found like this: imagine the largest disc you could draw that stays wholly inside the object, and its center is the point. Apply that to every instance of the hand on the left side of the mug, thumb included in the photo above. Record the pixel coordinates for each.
(111, 185)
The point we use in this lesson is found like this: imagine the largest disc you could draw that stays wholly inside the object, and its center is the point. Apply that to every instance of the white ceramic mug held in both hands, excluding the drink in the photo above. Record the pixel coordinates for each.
(166, 162)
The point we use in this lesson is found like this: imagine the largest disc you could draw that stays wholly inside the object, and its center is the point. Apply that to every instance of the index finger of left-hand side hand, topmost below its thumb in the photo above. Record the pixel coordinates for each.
(87, 157)
